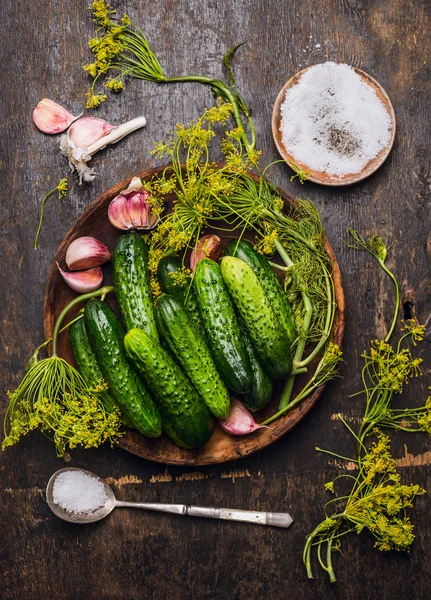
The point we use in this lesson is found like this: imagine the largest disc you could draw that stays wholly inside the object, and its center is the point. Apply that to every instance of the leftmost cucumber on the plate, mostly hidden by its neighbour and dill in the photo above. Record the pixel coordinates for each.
(88, 366)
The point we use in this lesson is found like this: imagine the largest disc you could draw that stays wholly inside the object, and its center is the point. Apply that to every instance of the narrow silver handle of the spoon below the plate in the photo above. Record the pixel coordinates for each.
(227, 514)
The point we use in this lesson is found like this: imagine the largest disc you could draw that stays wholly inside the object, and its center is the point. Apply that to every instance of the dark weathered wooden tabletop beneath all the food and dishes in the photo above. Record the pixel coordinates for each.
(136, 555)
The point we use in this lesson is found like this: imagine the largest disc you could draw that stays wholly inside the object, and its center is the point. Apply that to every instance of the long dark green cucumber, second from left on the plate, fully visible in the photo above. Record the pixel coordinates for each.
(106, 337)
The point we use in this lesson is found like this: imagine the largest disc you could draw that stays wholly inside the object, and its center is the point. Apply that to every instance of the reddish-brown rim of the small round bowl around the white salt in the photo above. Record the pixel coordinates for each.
(323, 177)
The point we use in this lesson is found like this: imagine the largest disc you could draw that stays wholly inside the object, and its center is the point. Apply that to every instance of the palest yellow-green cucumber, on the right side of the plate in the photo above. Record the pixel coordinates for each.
(269, 339)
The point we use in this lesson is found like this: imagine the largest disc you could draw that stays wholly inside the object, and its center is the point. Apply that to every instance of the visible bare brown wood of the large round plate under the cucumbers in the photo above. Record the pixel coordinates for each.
(222, 447)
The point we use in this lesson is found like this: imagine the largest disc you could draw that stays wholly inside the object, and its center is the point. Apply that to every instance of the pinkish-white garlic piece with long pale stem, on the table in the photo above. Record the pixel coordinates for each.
(94, 134)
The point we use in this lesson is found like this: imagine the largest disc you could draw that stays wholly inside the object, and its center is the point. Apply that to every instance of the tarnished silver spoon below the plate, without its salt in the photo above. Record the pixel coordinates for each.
(228, 514)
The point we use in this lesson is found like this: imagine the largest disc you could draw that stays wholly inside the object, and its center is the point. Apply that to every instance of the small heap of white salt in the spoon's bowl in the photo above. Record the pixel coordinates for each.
(78, 492)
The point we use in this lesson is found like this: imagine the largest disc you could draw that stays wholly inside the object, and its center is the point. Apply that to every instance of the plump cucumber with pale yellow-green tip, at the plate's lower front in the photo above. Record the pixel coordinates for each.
(186, 418)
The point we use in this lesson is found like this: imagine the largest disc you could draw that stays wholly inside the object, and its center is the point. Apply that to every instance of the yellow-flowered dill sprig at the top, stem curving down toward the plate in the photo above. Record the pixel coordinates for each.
(121, 47)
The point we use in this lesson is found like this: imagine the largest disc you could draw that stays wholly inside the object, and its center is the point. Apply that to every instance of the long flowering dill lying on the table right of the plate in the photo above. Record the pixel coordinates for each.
(377, 499)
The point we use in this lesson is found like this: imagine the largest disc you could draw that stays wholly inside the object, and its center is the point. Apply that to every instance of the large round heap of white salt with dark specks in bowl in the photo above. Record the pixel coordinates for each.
(332, 121)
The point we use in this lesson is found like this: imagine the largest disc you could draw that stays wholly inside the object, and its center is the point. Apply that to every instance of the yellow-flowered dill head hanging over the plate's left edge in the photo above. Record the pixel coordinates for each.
(54, 398)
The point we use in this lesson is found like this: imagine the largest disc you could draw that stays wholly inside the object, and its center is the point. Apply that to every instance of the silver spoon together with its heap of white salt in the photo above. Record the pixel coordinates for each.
(79, 496)
